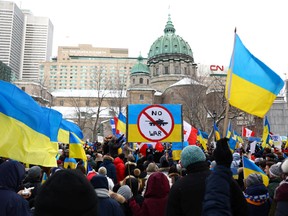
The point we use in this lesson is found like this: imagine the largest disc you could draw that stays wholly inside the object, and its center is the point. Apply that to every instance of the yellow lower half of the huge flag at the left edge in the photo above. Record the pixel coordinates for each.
(22, 143)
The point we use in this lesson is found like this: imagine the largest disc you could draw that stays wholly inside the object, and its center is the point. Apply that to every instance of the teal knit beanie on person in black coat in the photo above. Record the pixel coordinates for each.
(192, 154)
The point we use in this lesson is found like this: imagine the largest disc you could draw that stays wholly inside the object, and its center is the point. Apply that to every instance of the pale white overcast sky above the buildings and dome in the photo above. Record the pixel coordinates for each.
(207, 25)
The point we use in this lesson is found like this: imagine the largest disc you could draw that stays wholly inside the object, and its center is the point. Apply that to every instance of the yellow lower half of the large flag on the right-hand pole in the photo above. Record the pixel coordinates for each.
(248, 96)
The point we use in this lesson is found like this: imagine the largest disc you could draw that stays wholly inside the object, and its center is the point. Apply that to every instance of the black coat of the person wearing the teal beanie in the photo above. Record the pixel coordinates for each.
(187, 194)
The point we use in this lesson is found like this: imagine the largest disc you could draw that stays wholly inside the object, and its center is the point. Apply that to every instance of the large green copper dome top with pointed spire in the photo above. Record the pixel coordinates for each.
(169, 43)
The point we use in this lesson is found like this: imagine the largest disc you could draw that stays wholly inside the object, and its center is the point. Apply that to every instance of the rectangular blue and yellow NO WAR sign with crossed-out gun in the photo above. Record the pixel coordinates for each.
(135, 114)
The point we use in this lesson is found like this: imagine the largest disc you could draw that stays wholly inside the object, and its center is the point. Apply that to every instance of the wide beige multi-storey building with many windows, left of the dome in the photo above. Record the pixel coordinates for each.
(85, 67)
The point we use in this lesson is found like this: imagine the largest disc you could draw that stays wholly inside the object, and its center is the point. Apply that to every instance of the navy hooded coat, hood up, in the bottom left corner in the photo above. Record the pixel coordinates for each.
(11, 203)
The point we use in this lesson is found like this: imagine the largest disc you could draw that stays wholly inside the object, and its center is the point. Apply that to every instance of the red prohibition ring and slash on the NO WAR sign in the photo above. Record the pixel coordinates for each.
(143, 112)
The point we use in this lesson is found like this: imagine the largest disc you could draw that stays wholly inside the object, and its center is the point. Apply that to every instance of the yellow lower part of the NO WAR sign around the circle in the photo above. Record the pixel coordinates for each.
(135, 136)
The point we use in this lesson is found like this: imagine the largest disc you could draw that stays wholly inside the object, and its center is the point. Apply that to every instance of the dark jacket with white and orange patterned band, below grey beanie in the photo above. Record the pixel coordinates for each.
(258, 200)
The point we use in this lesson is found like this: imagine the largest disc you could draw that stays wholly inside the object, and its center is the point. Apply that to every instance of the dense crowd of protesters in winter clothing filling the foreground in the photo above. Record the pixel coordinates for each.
(118, 179)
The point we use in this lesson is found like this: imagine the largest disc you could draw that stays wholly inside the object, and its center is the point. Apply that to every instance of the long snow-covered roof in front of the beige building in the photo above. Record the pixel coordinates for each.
(89, 93)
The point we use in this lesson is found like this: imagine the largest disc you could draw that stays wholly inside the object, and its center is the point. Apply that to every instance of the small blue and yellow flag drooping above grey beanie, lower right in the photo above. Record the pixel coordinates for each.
(249, 167)
